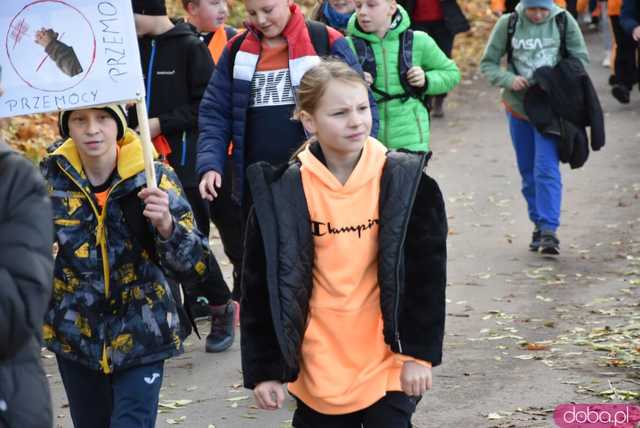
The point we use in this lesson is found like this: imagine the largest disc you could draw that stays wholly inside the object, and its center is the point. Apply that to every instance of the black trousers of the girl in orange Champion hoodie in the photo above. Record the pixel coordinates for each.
(392, 411)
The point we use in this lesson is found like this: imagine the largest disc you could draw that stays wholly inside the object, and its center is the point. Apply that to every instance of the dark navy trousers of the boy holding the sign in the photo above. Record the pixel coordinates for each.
(127, 399)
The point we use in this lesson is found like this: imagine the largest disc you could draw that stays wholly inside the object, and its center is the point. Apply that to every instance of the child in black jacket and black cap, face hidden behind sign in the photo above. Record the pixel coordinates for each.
(177, 66)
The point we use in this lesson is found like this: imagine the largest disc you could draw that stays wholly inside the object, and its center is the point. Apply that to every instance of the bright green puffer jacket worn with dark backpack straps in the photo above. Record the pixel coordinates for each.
(405, 125)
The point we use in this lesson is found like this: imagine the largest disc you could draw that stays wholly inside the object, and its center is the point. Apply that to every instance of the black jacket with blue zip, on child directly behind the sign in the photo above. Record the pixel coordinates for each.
(176, 67)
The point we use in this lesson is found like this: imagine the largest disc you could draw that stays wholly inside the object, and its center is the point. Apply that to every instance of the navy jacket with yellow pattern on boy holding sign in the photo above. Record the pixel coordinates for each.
(112, 307)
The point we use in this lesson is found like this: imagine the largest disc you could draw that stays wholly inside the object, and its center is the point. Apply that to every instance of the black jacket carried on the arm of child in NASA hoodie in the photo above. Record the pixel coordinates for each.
(562, 104)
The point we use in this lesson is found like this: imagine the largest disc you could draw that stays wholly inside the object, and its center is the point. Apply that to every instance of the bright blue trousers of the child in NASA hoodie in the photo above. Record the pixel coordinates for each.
(539, 166)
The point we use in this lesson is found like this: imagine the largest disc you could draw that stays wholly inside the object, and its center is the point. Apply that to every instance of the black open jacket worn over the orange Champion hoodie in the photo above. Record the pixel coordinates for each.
(278, 263)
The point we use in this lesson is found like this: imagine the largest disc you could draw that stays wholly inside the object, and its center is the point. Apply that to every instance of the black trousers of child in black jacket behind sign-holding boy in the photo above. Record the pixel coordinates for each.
(213, 287)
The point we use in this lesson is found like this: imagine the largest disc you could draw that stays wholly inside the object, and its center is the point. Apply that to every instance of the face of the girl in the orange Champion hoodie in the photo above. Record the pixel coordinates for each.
(342, 119)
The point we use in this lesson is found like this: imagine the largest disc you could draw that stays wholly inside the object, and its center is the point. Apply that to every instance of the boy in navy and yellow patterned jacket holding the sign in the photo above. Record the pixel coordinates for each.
(114, 318)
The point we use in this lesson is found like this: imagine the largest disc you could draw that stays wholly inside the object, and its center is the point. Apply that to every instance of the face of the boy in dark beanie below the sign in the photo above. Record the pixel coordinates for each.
(93, 131)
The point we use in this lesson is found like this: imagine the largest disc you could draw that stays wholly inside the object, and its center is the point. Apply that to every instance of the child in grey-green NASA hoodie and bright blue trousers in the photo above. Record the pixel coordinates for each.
(535, 41)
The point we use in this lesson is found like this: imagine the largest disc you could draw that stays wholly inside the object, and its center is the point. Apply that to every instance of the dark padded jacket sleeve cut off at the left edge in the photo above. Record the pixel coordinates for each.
(26, 275)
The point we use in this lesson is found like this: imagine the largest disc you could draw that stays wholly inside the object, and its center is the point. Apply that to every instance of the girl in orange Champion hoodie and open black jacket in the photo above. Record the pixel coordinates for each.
(345, 268)
